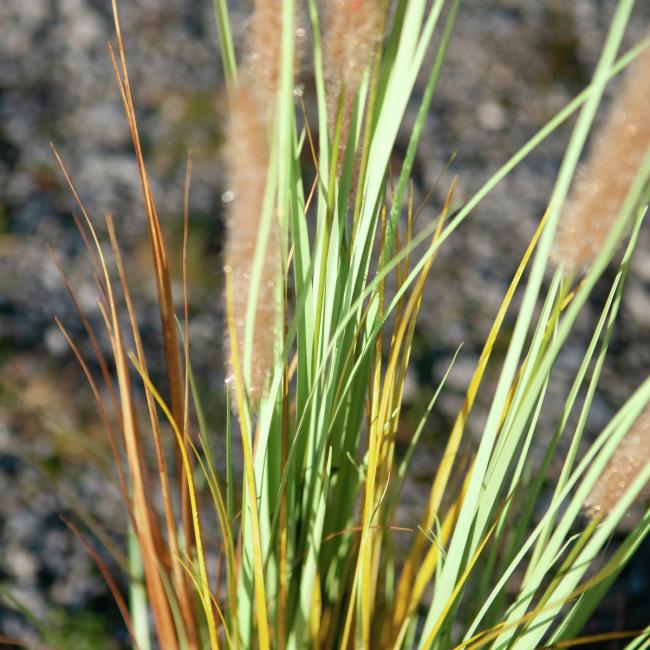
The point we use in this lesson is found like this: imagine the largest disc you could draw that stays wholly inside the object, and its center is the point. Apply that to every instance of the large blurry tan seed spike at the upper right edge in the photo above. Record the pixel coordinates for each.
(602, 184)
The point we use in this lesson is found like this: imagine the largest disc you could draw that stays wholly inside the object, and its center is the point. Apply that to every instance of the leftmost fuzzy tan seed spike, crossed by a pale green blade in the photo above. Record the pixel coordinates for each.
(247, 160)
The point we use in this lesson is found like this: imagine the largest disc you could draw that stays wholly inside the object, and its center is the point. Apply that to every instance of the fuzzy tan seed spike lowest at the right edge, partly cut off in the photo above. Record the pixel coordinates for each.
(624, 466)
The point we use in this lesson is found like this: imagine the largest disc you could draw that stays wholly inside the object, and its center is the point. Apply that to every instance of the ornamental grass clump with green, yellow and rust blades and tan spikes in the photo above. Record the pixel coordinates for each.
(325, 264)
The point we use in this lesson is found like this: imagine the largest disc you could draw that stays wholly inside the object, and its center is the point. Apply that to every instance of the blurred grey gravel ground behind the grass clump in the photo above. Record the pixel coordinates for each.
(512, 64)
